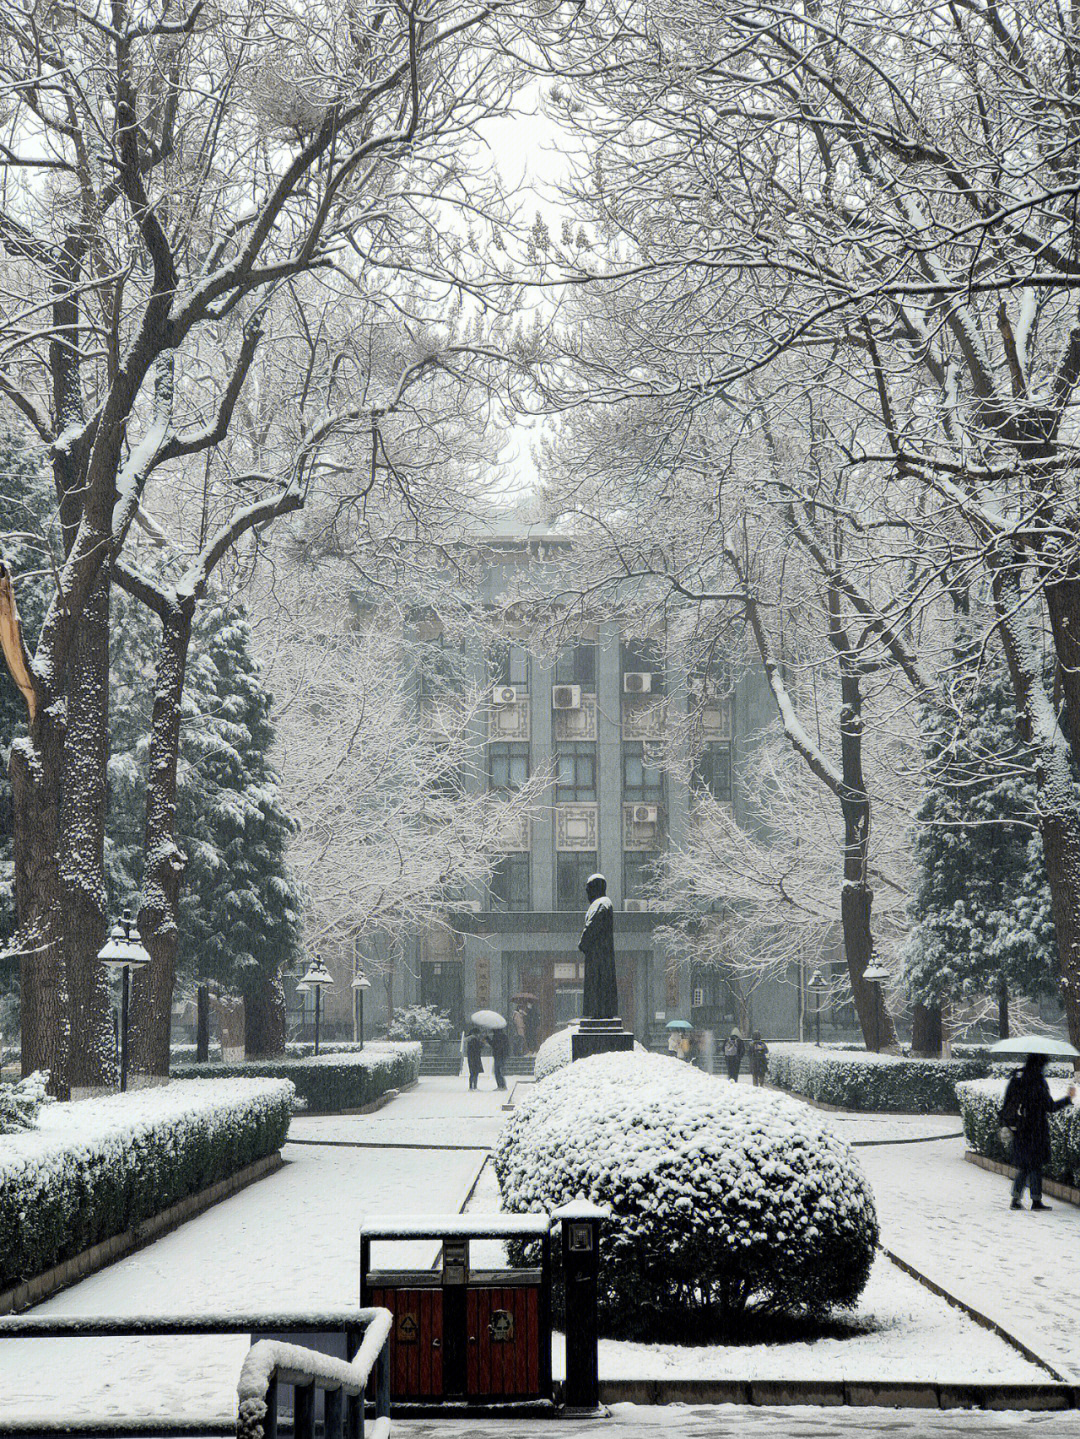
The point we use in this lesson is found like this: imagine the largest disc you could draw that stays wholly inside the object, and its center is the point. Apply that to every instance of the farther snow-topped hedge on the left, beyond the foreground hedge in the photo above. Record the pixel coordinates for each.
(329, 1083)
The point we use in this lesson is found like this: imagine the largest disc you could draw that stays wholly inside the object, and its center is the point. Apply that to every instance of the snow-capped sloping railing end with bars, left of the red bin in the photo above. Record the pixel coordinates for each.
(271, 1363)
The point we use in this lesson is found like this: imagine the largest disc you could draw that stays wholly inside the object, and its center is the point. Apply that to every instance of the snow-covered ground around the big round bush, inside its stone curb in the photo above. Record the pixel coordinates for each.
(900, 1332)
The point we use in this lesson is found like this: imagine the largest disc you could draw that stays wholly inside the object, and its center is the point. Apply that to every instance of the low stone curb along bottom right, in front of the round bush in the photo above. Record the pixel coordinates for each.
(825, 1392)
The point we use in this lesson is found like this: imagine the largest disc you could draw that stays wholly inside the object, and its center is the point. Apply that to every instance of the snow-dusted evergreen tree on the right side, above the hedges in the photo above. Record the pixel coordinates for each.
(981, 907)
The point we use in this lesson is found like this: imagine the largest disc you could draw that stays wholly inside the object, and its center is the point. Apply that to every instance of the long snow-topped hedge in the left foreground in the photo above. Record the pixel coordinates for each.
(94, 1169)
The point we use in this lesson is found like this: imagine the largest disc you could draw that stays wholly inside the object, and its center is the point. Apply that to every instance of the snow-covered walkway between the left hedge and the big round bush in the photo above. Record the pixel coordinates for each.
(290, 1240)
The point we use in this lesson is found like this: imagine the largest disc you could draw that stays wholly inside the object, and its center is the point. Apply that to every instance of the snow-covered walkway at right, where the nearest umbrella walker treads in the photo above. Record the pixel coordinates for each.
(951, 1221)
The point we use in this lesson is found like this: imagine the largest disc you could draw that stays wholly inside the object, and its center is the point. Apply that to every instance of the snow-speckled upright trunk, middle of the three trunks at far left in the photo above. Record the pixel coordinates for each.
(83, 845)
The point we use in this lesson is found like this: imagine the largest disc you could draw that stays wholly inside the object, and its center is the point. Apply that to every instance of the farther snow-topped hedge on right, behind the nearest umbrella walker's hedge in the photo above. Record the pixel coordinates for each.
(856, 1080)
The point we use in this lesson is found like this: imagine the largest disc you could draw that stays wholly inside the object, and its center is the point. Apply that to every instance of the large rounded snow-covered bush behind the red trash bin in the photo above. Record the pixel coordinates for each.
(723, 1198)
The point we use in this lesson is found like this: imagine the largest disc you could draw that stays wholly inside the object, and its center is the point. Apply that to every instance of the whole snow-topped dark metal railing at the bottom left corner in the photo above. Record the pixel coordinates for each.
(270, 1363)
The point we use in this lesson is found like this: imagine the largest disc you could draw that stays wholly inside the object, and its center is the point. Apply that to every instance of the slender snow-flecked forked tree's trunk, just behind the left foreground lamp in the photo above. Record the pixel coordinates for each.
(152, 999)
